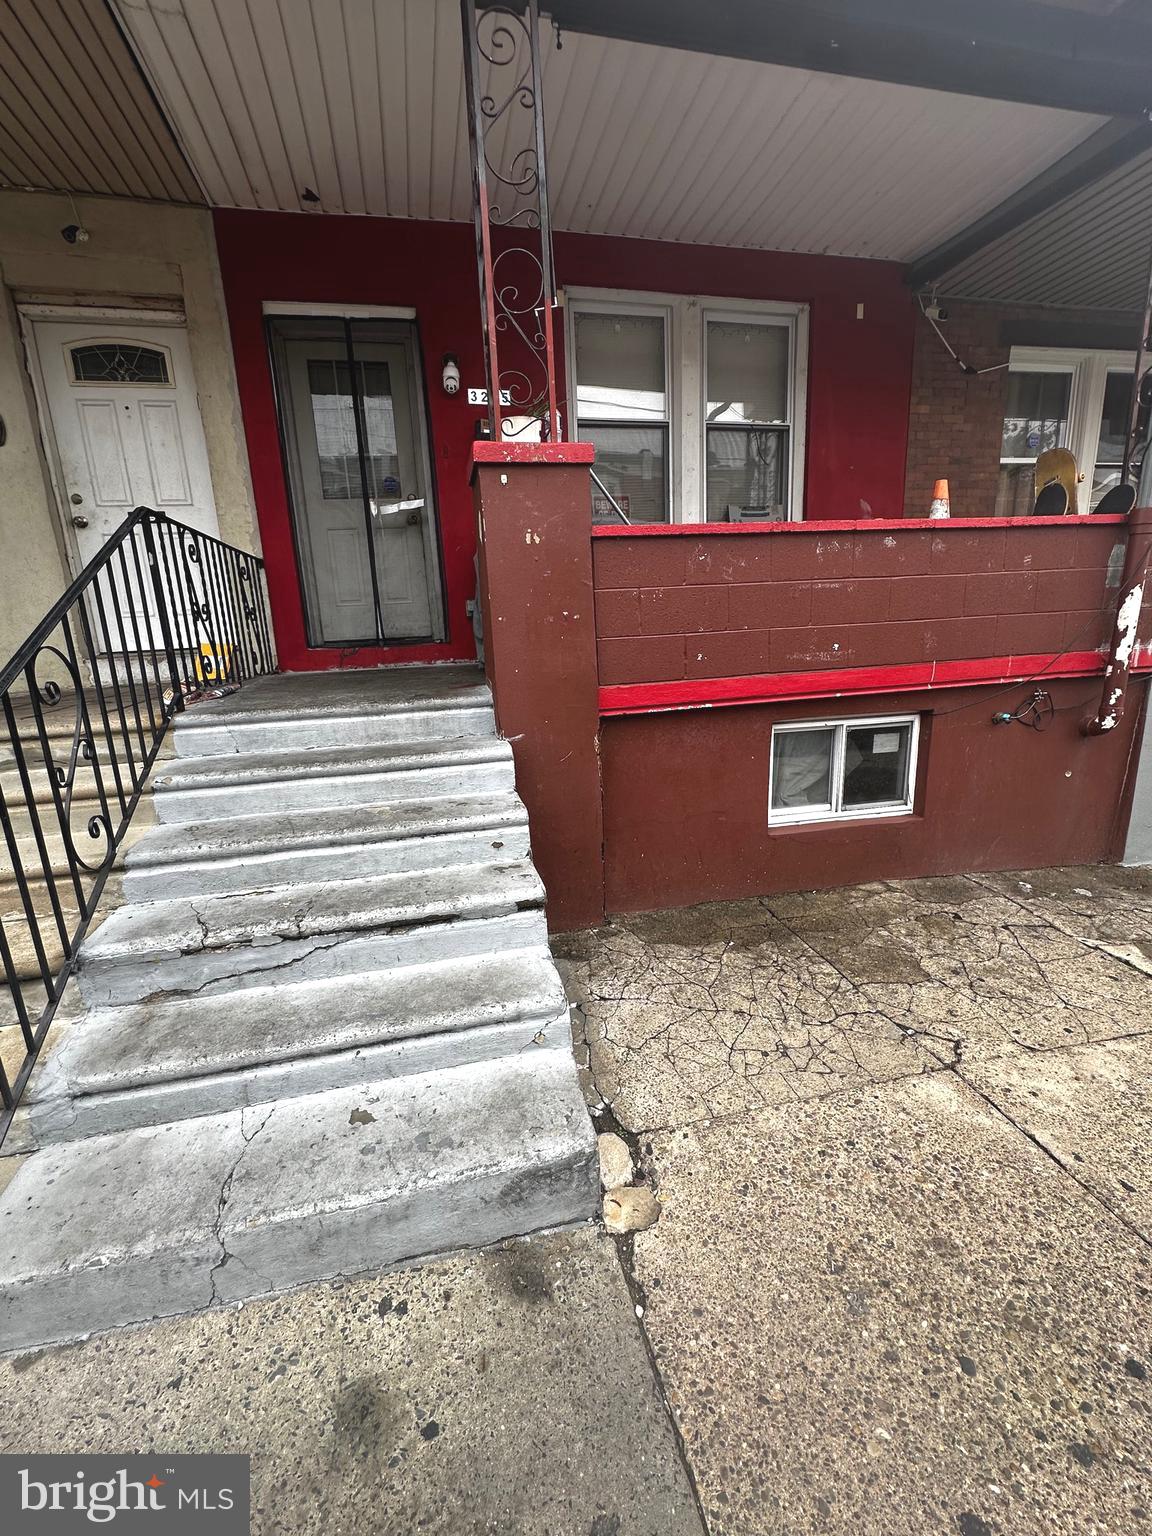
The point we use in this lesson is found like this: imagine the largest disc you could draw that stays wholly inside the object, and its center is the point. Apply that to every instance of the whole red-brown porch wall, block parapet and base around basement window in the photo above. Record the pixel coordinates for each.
(852, 612)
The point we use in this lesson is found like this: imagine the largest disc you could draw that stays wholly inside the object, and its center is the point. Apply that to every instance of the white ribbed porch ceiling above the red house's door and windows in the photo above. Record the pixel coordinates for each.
(363, 105)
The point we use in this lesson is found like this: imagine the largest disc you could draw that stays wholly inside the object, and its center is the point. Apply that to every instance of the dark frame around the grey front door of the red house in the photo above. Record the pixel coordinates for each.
(434, 541)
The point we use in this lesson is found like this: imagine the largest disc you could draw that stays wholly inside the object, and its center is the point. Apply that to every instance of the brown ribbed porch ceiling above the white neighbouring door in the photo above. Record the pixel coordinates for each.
(76, 113)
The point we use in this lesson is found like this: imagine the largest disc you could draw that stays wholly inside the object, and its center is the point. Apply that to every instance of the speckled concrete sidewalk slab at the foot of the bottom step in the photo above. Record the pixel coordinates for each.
(506, 1394)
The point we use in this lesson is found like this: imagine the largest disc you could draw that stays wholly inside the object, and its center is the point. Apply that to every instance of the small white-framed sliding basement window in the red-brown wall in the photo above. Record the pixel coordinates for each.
(842, 770)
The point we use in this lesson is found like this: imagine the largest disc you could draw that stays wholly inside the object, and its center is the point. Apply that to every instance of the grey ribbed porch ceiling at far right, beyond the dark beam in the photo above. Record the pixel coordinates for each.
(1088, 253)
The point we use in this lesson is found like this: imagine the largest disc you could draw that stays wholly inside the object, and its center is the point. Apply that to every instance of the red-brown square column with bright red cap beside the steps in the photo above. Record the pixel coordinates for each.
(540, 654)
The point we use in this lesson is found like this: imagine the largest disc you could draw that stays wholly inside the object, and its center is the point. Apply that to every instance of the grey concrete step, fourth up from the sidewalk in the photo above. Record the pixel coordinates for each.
(345, 842)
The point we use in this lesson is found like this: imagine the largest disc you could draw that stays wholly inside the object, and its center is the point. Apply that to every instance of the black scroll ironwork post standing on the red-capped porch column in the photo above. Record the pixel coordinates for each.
(511, 208)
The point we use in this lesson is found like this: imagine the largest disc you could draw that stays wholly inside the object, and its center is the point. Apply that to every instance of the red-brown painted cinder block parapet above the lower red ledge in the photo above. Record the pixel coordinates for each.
(683, 606)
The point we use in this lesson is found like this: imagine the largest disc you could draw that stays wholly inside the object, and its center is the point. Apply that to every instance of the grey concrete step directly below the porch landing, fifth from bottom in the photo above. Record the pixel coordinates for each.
(240, 784)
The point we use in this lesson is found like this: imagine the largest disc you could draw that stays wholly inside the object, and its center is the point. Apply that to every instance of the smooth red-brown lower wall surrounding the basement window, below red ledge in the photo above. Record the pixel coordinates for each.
(686, 798)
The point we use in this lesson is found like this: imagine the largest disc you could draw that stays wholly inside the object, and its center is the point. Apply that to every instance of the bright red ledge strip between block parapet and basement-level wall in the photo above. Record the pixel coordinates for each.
(709, 694)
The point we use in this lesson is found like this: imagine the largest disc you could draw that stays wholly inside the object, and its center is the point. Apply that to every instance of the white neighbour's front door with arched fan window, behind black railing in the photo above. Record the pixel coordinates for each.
(125, 419)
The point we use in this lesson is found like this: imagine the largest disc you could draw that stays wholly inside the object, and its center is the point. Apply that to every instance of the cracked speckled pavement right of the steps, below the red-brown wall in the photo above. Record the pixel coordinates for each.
(902, 1137)
